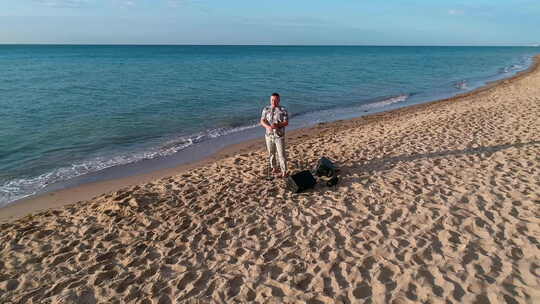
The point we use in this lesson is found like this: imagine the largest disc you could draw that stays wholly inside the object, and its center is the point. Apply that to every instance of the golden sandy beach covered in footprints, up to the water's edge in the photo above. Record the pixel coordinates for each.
(437, 203)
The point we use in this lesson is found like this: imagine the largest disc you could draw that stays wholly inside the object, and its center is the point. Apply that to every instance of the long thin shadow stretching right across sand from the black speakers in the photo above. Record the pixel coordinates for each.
(387, 163)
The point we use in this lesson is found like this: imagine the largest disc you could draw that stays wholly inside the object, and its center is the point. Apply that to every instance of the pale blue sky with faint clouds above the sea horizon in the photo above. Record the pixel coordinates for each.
(343, 22)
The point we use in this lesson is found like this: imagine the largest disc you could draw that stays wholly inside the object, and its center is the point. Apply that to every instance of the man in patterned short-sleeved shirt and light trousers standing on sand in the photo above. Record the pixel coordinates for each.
(274, 119)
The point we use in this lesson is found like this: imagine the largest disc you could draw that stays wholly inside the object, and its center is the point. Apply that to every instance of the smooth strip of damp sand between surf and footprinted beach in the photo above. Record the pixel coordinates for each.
(87, 191)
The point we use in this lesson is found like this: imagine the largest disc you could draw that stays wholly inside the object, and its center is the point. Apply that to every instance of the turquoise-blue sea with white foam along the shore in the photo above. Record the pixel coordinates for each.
(67, 111)
